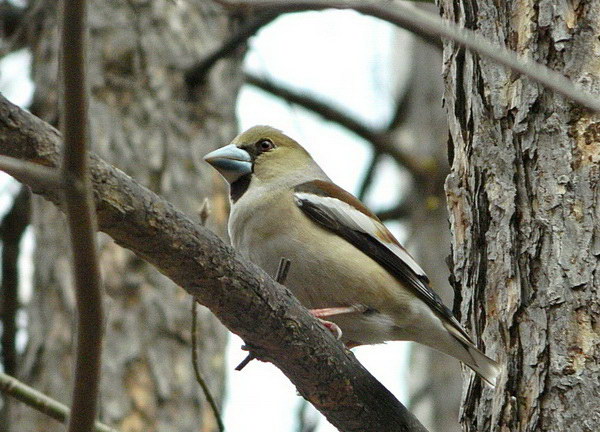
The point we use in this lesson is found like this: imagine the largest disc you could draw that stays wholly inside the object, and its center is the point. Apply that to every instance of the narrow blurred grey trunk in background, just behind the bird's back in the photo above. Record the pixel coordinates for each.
(434, 379)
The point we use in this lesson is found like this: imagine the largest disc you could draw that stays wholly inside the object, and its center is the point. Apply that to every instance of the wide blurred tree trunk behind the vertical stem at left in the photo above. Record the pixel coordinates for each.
(145, 121)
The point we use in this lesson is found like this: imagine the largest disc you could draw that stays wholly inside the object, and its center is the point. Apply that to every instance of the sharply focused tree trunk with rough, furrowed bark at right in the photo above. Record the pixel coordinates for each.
(524, 205)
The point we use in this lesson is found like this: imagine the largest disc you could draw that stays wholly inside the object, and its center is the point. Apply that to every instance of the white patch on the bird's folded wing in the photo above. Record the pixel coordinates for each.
(349, 216)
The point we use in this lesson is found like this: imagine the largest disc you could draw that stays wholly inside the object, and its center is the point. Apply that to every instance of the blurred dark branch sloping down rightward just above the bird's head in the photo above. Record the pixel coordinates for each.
(379, 141)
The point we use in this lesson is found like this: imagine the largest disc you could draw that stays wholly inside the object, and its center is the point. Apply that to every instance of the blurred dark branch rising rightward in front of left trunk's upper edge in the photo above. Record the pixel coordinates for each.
(197, 74)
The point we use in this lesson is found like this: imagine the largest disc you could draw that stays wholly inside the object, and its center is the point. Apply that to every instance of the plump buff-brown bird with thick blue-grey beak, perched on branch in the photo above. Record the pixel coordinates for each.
(346, 266)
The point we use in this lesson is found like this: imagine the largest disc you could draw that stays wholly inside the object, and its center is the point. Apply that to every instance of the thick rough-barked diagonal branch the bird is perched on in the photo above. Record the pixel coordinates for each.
(243, 297)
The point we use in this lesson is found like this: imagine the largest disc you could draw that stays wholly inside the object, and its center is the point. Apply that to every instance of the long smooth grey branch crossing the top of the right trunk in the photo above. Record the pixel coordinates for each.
(428, 26)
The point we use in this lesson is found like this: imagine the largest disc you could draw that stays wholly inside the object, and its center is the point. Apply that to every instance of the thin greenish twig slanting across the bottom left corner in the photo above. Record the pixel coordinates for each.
(40, 402)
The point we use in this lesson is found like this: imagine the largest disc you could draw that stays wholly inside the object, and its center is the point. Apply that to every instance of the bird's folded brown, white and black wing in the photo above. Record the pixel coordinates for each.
(340, 212)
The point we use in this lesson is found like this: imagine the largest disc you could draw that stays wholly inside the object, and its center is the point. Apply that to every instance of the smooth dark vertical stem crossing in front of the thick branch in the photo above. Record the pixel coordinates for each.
(81, 217)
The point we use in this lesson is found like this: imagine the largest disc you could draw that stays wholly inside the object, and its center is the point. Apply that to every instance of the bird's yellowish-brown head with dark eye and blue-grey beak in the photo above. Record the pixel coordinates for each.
(261, 152)
